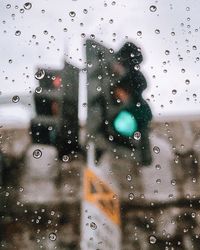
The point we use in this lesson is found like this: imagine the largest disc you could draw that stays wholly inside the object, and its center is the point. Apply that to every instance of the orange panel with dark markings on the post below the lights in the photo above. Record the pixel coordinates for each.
(99, 193)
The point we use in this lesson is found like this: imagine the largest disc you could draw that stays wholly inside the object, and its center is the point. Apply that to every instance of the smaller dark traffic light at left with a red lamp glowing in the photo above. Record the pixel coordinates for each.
(56, 104)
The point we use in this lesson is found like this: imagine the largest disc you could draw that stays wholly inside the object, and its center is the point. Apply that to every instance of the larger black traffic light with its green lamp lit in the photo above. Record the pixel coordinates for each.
(116, 108)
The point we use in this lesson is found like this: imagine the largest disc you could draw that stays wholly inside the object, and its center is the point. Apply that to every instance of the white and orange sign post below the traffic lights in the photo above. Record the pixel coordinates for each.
(100, 212)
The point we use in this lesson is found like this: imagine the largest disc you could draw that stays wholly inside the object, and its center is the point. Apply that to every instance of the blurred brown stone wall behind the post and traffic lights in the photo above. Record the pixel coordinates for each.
(41, 197)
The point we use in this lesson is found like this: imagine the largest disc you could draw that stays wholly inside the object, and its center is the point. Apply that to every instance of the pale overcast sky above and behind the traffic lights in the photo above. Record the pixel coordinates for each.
(49, 31)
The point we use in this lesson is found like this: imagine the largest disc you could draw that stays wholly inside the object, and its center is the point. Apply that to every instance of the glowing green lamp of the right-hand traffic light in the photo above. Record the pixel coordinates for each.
(125, 124)
